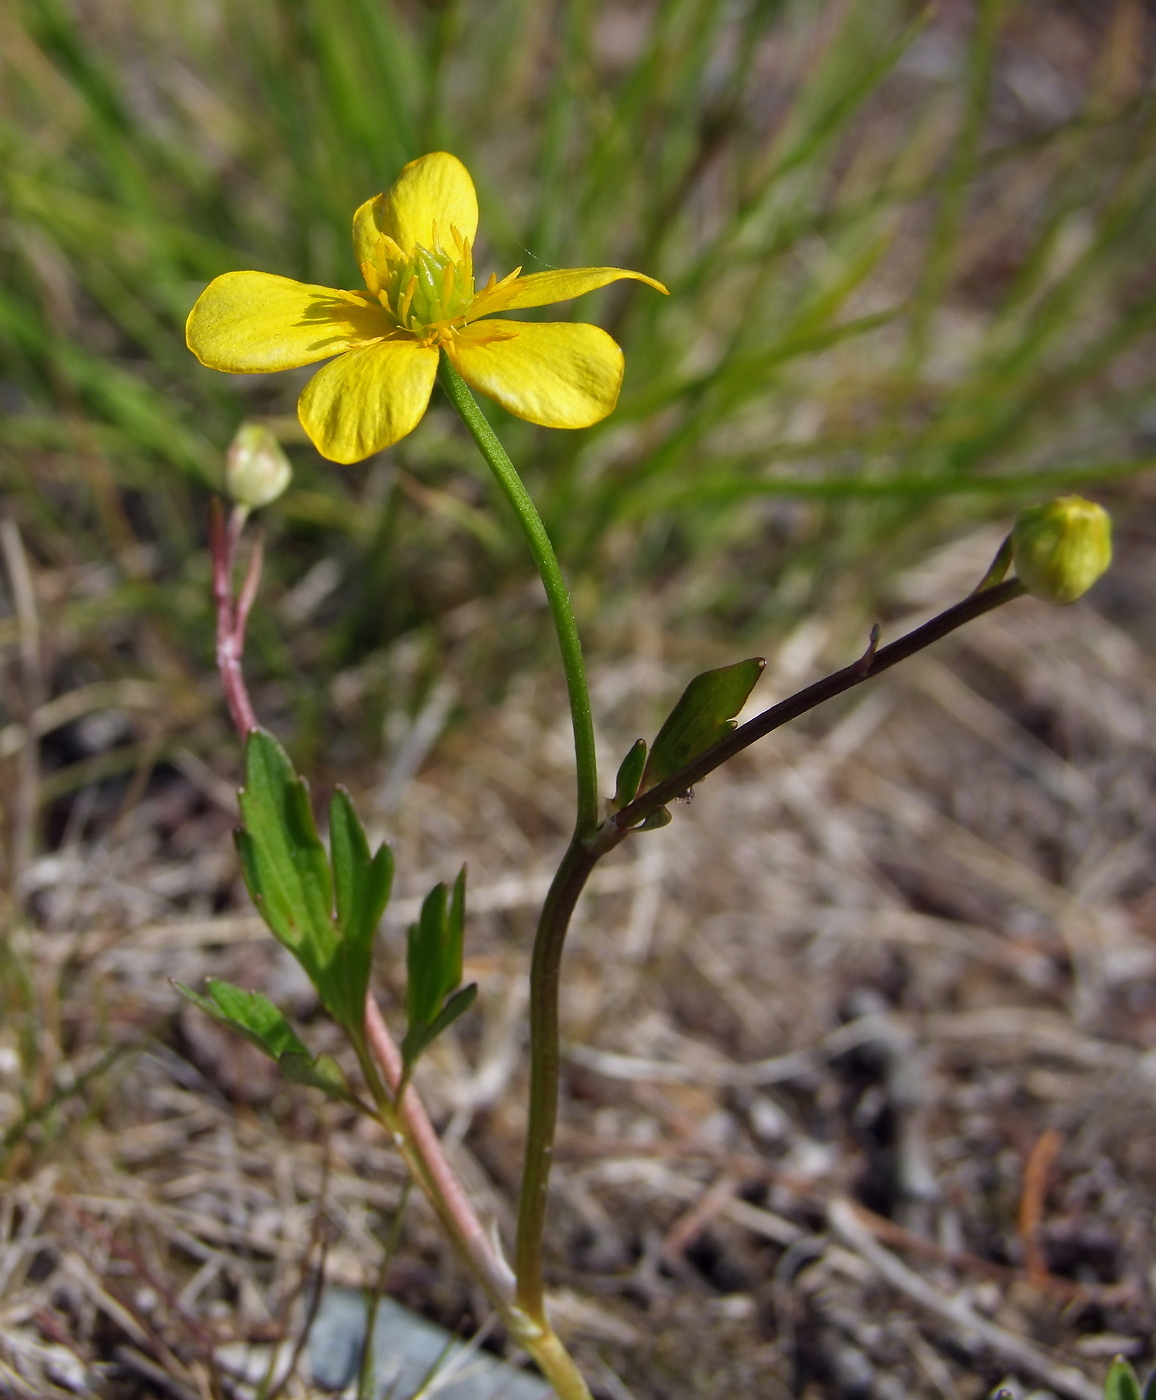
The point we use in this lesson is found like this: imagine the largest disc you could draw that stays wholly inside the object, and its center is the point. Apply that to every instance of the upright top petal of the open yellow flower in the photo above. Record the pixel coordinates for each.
(433, 190)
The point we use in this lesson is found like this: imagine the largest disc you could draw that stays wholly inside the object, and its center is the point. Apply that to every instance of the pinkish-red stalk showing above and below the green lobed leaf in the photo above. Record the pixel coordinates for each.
(451, 1199)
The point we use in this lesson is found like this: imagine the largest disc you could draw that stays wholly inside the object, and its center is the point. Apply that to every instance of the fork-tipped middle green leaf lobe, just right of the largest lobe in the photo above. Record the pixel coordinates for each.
(362, 885)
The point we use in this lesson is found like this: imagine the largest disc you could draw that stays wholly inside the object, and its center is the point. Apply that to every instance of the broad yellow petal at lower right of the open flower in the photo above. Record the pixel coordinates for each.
(561, 374)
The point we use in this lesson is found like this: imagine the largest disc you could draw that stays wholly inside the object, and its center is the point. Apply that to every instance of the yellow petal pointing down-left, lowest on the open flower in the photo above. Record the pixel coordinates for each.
(369, 400)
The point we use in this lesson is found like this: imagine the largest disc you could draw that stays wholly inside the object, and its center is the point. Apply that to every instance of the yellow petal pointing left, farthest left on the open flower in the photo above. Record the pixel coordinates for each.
(246, 323)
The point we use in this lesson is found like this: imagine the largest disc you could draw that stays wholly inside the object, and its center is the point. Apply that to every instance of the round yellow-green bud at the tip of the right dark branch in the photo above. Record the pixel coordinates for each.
(1062, 549)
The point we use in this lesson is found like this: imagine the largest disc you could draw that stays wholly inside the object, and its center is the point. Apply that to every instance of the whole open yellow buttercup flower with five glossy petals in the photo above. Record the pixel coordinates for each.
(415, 247)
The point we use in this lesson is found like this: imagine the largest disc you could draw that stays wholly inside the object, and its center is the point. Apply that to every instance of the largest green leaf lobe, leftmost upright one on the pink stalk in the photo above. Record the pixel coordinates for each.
(283, 859)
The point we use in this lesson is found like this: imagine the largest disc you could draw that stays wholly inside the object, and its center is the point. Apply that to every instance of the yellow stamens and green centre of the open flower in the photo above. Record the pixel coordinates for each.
(430, 292)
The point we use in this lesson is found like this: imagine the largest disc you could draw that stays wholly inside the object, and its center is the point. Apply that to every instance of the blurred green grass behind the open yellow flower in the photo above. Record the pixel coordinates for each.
(909, 251)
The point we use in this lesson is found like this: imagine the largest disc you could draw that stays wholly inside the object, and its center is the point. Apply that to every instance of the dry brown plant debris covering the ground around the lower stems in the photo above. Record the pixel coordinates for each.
(861, 1091)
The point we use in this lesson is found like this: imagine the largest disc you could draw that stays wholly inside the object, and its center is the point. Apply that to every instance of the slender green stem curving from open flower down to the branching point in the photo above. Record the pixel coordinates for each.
(556, 591)
